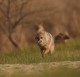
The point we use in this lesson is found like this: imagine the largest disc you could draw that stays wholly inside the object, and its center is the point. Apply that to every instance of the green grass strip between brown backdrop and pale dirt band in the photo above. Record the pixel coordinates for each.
(63, 52)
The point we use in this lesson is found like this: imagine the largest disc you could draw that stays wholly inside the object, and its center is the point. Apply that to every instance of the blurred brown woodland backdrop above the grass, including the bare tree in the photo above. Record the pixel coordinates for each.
(18, 19)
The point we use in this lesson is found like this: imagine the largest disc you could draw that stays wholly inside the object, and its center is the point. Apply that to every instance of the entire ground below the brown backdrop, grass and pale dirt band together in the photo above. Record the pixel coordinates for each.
(27, 62)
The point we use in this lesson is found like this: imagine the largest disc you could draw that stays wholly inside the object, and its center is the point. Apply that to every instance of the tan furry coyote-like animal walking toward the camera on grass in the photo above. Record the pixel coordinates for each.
(44, 40)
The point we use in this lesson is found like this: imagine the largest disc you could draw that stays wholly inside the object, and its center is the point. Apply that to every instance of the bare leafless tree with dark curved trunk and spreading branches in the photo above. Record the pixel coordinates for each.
(13, 14)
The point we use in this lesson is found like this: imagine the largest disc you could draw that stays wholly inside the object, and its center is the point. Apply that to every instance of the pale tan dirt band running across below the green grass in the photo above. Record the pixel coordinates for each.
(37, 68)
